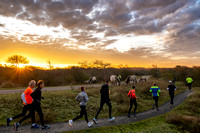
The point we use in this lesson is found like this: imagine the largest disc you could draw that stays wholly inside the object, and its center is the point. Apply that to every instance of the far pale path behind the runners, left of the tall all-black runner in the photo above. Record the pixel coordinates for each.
(13, 91)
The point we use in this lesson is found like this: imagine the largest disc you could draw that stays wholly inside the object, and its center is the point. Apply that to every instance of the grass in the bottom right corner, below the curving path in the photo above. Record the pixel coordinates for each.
(183, 119)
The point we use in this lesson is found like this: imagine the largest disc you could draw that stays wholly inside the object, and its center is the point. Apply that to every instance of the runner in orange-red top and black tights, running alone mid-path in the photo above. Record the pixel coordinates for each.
(133, 97)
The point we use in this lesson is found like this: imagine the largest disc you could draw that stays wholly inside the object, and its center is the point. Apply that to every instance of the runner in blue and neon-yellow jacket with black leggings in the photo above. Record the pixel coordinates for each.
(155, 93)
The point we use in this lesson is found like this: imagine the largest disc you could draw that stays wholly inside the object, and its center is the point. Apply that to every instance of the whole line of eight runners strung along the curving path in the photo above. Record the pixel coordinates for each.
(32, 102)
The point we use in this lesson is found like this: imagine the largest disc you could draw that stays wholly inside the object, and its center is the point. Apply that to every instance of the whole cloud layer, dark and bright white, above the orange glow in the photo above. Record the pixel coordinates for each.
(173, 25)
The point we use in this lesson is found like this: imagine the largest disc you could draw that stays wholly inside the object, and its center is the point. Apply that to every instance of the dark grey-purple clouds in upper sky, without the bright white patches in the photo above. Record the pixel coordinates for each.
(84, 18)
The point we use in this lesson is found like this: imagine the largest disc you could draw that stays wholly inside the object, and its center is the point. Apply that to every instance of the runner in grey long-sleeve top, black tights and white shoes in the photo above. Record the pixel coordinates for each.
(83, 99)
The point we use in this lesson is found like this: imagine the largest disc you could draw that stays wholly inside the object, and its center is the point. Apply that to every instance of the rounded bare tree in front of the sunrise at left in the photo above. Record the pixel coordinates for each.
(17, 59)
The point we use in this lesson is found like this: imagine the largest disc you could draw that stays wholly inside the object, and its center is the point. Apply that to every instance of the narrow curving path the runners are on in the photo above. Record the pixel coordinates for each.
(80, 125)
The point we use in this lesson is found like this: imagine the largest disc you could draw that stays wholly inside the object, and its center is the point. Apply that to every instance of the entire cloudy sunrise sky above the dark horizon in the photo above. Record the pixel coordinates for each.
(139, 33)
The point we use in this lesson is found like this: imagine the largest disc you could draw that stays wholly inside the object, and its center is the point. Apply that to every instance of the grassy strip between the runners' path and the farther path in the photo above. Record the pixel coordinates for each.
(60, 106)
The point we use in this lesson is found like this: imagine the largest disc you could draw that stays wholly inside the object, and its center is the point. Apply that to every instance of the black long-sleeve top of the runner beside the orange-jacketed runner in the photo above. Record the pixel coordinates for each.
(36, 95)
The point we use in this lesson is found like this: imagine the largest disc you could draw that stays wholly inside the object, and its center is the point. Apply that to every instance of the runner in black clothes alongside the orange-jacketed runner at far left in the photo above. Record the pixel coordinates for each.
(36, 95)
